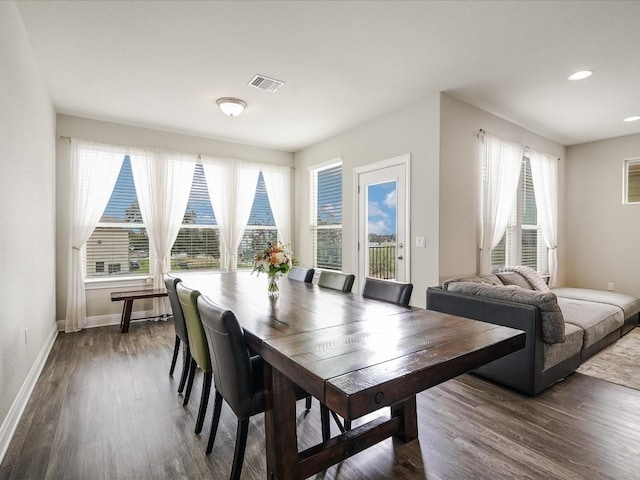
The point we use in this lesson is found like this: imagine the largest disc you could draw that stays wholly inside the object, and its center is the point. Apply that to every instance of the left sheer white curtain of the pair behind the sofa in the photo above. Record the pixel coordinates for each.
(501, 163)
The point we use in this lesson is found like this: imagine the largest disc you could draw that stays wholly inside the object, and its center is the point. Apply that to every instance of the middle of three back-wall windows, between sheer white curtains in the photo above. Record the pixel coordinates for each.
(197, 246)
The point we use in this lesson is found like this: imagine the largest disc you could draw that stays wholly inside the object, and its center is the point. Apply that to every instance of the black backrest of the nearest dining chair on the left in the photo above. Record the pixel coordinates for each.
(230, 359)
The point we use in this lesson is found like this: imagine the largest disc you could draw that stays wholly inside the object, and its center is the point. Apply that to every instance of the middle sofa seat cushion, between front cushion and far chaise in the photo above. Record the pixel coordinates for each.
(596, 319)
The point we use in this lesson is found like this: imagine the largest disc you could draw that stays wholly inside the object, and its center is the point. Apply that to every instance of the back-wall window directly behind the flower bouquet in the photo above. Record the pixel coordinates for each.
(261, 227)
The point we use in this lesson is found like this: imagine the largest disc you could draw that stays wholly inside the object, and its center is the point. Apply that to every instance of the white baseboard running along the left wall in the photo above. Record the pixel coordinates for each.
(10, 423)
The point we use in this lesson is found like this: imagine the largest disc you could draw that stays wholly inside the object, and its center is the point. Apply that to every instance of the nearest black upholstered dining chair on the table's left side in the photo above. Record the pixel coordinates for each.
(238, 376)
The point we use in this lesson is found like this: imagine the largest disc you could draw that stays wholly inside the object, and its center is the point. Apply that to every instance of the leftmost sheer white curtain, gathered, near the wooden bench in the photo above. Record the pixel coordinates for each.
(94, 172)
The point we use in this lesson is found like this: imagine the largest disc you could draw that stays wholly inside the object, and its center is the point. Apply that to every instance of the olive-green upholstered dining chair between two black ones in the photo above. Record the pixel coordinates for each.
(198, 348)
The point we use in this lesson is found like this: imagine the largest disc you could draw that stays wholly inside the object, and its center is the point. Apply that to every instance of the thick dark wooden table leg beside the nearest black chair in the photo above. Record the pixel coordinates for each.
(280, 426)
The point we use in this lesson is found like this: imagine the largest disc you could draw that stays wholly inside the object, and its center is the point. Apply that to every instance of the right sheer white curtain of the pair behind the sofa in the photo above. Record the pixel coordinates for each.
(544, 172)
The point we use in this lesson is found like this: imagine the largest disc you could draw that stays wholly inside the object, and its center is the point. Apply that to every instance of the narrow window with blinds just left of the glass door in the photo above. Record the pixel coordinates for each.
(326, 216)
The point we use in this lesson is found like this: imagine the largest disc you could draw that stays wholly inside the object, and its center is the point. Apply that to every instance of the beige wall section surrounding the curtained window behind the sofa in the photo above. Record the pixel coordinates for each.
(459, 183)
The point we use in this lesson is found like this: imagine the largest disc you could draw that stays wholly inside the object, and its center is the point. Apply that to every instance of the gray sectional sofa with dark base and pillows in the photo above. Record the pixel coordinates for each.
(564, 326)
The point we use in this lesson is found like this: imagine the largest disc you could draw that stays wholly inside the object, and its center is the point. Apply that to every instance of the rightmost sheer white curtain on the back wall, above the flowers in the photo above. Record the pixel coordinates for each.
(277, 179)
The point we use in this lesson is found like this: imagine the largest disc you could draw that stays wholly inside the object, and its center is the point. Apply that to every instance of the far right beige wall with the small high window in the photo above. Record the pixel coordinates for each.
(604, 234)
